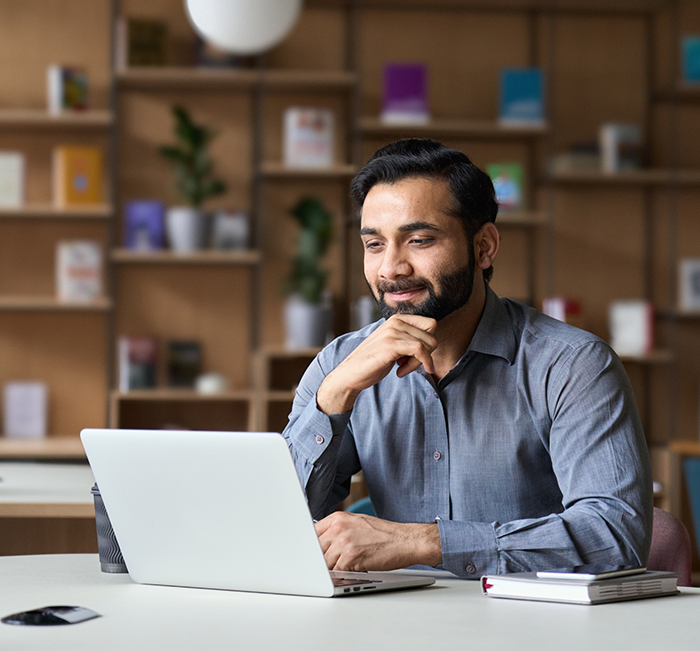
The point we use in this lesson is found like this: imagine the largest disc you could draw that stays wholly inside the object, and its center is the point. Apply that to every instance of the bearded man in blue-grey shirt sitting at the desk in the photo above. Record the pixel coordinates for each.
(492, 438)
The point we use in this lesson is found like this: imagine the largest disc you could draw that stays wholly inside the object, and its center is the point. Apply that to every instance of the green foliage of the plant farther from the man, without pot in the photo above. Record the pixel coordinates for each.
(191, 162)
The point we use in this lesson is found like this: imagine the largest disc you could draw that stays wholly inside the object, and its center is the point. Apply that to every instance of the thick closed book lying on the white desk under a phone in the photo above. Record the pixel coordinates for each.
(527, 585)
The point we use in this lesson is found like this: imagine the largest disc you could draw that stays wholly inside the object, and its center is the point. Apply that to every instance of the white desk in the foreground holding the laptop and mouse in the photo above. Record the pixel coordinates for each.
(450, 615)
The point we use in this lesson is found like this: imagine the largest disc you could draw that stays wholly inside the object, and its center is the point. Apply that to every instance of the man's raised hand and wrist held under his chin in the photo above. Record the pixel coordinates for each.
(403, 338)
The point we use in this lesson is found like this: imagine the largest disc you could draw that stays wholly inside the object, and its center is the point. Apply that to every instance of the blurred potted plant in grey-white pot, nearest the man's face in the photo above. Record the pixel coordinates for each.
(307, 312)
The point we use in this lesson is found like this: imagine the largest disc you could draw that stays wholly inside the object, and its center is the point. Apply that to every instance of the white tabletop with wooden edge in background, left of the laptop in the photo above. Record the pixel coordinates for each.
(46, 490)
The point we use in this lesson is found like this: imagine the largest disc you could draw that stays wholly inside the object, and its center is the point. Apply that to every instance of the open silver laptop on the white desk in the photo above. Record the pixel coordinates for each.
(220, 510)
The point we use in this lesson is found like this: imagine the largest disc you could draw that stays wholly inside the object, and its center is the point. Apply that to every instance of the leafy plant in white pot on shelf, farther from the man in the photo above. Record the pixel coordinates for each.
(186, 225)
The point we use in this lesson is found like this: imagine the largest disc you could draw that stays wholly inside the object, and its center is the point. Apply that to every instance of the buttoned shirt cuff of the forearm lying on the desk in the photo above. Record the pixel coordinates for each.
(469, 549)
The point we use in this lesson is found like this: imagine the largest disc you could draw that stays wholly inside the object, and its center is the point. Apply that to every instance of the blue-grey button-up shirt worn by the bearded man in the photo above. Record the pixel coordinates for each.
(528, 454)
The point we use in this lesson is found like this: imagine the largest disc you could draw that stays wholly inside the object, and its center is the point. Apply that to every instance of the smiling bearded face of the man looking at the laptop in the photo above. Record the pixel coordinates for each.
(417, 257)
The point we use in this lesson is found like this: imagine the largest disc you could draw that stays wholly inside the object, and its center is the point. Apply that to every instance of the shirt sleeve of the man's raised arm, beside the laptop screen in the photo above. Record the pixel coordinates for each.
(322, 446)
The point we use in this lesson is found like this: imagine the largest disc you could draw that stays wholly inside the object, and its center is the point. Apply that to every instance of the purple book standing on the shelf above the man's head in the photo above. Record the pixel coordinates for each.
(405, 96)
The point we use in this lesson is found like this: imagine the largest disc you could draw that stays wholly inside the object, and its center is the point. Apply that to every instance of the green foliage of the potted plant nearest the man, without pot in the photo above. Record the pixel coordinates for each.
(307, 278)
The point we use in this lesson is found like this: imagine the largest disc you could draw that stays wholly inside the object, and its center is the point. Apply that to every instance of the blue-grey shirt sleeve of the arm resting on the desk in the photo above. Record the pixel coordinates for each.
(601, 462)
